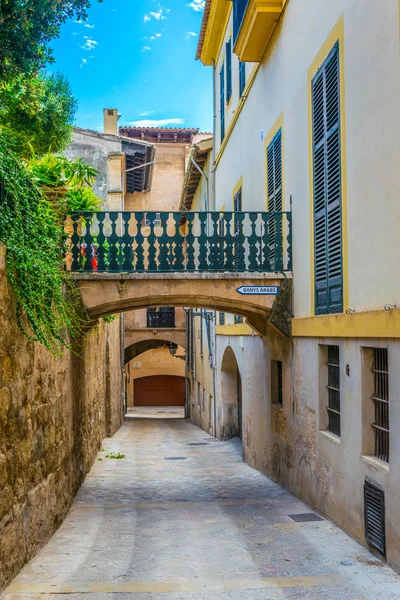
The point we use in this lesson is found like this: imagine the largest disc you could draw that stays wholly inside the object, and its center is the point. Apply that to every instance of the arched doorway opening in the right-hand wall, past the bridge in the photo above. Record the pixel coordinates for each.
(230, 418)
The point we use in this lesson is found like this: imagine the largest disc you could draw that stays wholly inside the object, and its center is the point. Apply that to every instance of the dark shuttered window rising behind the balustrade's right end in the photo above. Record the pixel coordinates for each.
(275, 195)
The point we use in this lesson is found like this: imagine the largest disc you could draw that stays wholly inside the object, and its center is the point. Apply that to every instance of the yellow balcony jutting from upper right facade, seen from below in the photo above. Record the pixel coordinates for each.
(254, 22)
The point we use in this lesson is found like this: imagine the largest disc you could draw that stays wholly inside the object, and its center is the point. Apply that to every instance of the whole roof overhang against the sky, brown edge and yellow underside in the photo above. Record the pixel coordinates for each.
(215, 20)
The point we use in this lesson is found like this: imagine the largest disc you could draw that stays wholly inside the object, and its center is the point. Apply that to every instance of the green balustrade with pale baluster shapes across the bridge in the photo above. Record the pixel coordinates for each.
(151, 242)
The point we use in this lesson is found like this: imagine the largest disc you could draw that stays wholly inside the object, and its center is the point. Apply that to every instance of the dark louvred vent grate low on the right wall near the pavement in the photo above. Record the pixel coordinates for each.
(374, 514)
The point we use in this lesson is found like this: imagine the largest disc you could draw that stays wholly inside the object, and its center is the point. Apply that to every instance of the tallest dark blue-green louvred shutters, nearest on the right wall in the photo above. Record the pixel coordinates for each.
(327, 186)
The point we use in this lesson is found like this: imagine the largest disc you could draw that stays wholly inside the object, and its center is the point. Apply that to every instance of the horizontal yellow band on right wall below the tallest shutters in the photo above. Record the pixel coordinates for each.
(374, 324)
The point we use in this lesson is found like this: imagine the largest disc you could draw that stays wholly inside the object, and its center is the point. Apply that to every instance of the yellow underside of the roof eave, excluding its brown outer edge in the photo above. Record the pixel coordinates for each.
(218, 20)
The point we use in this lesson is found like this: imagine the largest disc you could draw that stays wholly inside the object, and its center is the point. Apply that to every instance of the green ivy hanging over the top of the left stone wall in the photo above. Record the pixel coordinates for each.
(32, 231)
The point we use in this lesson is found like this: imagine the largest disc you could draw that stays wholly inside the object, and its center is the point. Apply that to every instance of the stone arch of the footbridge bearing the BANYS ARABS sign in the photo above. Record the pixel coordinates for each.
(105, 293)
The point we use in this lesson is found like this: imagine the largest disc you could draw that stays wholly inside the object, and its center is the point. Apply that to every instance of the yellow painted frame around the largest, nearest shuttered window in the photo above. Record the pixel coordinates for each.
(336, 35)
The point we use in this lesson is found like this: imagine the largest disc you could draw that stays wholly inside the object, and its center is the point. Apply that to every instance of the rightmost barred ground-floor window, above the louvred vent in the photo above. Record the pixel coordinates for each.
(381, 401)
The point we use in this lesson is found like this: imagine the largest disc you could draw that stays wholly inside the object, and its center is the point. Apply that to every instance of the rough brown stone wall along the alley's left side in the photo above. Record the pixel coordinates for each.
(54, 413)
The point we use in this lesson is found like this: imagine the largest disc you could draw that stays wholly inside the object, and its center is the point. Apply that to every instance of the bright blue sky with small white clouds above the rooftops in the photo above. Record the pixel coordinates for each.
(137, 56)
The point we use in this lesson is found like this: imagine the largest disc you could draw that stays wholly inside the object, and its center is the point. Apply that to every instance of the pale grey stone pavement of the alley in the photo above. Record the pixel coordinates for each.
(182, 518)
